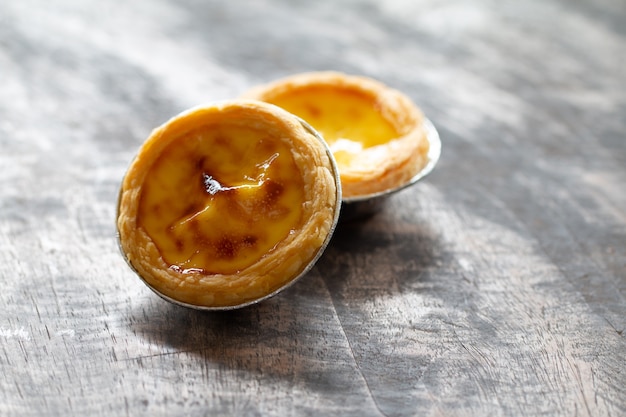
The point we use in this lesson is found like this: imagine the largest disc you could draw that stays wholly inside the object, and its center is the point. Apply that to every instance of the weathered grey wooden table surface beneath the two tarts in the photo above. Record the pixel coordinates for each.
(497, 286)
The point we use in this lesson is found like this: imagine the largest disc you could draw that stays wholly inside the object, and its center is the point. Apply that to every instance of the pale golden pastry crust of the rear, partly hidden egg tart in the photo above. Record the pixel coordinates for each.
(376, 168)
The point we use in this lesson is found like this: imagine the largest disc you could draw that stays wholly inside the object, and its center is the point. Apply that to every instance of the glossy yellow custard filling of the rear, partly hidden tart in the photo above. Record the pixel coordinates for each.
(348, 120)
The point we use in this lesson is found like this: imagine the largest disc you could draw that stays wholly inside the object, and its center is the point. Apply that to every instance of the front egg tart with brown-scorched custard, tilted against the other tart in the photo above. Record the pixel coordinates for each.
(226, 204)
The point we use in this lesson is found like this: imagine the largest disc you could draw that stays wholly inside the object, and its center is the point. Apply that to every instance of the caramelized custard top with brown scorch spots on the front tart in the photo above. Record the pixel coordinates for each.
(219, 198)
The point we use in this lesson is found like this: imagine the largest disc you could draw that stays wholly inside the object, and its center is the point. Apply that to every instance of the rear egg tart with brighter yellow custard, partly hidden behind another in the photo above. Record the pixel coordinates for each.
(375, 132)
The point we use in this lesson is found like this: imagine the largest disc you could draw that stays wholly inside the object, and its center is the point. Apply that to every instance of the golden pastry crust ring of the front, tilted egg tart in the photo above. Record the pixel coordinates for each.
(285, 261)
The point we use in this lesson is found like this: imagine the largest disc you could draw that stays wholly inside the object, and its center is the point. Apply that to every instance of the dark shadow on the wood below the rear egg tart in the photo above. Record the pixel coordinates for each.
(381, 255)
